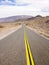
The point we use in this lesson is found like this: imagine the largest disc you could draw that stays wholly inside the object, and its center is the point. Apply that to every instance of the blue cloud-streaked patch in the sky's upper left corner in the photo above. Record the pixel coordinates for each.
(13, 2)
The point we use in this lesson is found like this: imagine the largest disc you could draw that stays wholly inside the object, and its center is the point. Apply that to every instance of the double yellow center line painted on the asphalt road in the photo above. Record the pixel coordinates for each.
(29, 57)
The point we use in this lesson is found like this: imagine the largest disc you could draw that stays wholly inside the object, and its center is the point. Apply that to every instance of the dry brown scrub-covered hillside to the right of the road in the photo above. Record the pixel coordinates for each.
(40, 24)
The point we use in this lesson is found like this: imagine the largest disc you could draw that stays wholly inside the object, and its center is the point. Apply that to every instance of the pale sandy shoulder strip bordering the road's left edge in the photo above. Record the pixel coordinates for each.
(9, 31)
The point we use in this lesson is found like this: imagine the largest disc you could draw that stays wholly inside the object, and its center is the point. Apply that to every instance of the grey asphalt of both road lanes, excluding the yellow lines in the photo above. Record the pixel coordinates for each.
(12, 48)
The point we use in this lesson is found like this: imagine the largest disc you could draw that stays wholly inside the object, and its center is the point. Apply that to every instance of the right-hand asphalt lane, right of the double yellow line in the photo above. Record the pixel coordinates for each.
(39, 47)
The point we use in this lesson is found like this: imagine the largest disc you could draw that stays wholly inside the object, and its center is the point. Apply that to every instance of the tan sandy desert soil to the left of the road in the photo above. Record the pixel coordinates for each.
(7, 27)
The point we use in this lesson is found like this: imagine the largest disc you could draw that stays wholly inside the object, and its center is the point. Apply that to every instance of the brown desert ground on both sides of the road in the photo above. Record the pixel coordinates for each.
(39, 24)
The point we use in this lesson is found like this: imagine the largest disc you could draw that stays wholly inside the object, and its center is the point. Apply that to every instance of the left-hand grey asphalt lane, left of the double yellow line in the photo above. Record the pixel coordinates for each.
(12, 49)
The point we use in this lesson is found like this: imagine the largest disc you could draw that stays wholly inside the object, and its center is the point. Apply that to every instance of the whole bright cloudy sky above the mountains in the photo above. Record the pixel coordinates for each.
(24, 7)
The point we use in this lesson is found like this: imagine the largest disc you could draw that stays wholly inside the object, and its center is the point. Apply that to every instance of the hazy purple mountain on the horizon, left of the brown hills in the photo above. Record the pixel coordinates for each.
(14, 18)
